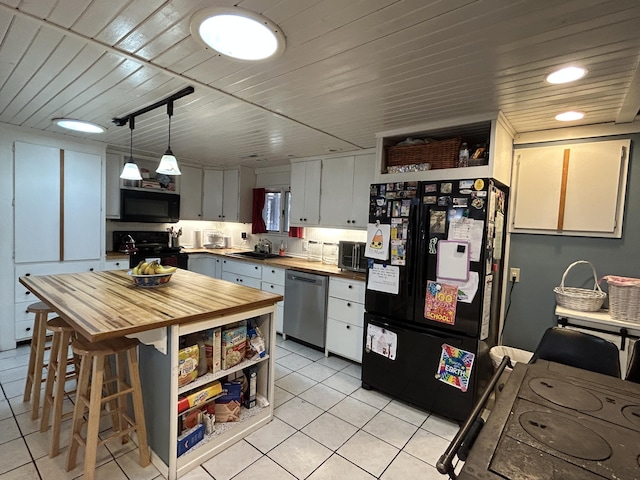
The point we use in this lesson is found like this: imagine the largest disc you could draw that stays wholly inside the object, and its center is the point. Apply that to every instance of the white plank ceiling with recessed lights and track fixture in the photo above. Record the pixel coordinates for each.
(350, 69)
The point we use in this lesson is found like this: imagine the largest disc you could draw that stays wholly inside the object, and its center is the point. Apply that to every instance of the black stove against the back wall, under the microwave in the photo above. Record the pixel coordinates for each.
(151, 245)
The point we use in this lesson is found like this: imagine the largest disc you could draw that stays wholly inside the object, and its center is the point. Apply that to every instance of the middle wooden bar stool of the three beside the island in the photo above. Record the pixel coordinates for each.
(57, 376)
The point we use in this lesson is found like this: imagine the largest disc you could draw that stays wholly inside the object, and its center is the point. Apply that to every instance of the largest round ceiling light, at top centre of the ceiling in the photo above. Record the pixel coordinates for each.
(238, 33)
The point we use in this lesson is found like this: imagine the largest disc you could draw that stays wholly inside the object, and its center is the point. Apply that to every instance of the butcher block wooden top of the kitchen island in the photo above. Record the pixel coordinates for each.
(107, 304)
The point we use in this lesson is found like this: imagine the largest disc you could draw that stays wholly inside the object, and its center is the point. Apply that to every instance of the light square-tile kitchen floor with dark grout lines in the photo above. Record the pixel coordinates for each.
(325, 427)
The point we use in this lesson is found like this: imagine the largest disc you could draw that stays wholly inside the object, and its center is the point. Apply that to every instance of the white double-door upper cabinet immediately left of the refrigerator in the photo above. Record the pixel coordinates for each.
(344, 201)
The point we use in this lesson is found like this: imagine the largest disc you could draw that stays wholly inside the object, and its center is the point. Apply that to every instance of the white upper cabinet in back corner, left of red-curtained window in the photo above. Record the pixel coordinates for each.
(228, 195)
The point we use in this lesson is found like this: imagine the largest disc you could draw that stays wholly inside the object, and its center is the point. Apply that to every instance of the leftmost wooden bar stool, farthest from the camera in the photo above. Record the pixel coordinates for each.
(36, 356)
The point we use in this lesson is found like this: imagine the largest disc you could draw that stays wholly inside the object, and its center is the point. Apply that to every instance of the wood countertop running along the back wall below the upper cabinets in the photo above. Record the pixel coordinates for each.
(292, 263)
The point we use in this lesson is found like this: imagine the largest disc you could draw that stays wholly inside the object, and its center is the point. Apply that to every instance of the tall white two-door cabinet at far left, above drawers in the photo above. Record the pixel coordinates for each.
(58, 192)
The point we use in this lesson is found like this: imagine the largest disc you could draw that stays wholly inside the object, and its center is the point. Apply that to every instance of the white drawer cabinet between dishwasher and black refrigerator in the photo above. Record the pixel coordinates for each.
(345, 318)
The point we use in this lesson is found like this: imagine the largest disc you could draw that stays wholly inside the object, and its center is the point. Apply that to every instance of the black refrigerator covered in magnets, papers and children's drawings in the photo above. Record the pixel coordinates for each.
(434, 277)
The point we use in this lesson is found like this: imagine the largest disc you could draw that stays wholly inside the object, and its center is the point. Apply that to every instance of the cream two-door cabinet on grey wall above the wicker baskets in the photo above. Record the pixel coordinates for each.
(576, 189)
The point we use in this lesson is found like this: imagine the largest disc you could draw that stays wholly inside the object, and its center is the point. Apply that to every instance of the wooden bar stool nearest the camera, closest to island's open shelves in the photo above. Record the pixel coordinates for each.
(92, 364)
